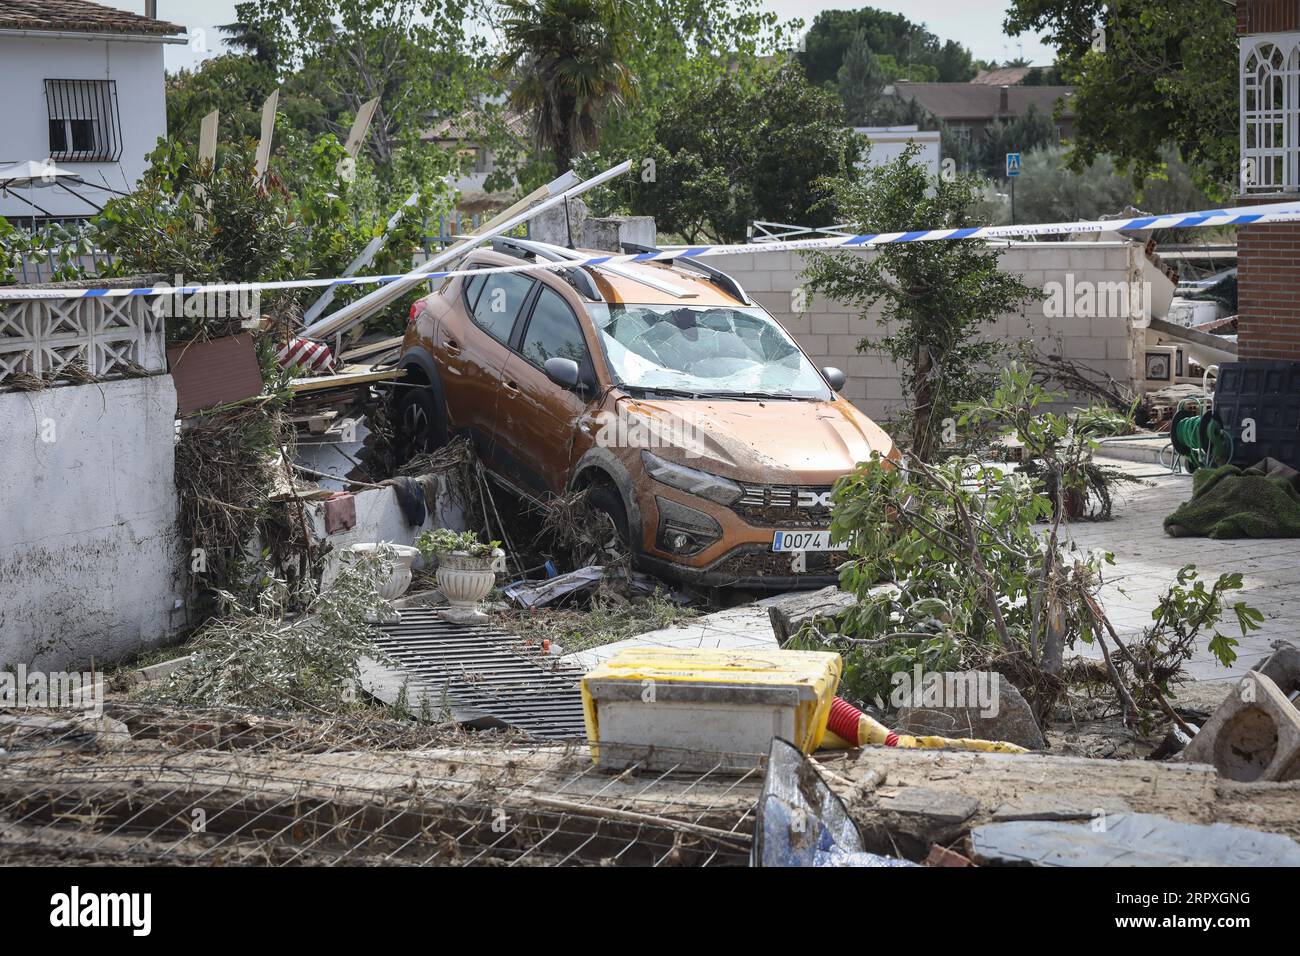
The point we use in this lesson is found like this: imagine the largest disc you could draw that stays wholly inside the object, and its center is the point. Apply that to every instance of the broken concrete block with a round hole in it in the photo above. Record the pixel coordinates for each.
(1255, 736)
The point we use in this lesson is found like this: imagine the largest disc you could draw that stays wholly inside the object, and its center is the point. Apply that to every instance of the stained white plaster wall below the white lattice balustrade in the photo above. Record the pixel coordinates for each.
(89, 543)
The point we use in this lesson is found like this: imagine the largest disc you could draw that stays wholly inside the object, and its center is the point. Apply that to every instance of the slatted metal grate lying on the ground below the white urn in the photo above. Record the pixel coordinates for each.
(478, 672)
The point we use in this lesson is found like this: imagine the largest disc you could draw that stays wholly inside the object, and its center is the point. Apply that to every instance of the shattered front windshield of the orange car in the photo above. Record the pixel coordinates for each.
(705, 351)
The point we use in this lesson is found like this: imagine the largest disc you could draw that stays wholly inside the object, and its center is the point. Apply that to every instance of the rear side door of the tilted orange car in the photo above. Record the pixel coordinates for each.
(474, 353)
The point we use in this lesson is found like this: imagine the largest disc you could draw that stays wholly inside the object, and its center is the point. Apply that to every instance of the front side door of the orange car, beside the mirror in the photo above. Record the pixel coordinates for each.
(536, 417)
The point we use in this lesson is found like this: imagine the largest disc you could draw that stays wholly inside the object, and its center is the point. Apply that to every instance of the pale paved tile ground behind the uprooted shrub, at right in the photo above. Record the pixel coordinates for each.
(1147, 563)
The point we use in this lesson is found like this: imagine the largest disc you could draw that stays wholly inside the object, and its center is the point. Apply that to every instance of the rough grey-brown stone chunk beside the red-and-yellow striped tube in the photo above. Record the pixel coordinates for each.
(1006, 717)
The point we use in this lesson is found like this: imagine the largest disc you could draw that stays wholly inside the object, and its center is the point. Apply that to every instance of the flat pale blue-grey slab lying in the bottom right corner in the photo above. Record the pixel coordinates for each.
(1130, 840)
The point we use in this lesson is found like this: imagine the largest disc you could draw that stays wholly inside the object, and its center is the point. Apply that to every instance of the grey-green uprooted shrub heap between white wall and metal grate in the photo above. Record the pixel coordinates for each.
(262, 657)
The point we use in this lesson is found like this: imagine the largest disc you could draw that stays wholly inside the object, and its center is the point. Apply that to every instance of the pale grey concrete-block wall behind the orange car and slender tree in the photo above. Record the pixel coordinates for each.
(830, 332)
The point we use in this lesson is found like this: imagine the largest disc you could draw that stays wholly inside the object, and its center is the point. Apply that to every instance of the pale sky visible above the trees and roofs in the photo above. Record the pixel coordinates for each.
(977, 24)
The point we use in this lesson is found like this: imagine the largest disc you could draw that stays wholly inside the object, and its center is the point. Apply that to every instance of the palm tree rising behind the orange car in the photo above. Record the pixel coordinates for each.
(569, 59)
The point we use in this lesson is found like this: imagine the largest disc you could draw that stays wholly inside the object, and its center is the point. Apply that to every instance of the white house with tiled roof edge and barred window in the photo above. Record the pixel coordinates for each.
(84, 90)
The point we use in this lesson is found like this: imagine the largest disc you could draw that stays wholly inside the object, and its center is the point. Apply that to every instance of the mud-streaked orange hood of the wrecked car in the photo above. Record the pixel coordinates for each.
(768, 443)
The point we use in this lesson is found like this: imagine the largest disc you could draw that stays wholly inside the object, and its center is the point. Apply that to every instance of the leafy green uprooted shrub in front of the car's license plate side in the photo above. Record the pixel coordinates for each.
(964, 565)
